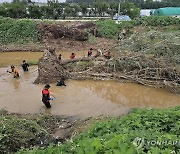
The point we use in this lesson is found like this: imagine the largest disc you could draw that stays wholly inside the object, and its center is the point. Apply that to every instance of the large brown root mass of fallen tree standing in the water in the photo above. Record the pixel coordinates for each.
(49, 68)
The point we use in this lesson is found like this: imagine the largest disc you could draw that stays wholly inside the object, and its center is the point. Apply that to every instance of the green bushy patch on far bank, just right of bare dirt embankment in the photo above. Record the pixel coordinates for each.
(108, 28)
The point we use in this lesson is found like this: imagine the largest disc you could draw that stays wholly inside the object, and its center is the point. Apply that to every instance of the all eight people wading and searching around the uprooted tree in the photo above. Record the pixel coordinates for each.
(45, 92)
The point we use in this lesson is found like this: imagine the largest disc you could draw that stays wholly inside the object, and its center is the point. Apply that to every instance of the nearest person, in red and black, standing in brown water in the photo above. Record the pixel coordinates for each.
(46, 96)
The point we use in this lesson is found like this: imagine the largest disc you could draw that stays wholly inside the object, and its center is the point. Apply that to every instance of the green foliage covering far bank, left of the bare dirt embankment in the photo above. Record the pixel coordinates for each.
(17, 31)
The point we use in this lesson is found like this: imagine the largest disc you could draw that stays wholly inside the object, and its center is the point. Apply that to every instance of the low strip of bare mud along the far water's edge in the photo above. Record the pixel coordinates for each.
(60, 45)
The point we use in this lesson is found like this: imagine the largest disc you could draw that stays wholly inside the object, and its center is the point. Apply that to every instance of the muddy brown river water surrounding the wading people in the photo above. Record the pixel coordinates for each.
(78, 98)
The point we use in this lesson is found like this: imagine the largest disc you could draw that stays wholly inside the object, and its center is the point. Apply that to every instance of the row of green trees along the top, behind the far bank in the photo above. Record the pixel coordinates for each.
(56, 10)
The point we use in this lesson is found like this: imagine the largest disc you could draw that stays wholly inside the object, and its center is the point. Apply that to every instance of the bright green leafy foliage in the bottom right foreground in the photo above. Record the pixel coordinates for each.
(116, 135)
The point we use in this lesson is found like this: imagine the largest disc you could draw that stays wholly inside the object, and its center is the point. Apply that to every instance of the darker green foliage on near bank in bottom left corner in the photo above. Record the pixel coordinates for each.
(18, 132)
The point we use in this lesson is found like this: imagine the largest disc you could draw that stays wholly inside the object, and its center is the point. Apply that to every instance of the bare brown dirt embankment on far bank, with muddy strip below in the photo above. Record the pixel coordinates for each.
(65, 36)
